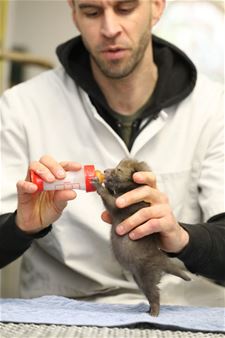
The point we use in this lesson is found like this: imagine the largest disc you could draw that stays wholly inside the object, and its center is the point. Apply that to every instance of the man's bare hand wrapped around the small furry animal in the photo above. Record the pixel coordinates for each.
(158, 217)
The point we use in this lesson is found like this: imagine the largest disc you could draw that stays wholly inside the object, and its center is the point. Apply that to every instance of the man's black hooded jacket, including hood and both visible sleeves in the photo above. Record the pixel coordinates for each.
(177, 75)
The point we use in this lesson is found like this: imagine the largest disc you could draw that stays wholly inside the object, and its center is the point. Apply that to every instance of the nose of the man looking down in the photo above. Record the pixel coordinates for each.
(110, 25)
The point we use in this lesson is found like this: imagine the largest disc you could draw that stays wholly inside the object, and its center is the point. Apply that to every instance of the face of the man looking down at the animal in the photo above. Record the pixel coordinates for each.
(115, 32)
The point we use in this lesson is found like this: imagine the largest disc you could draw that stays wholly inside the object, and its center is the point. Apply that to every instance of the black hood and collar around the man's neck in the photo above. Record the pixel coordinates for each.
(176, 79)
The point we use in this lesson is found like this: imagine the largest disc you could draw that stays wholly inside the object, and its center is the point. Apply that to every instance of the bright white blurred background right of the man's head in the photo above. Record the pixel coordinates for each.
(198, 28)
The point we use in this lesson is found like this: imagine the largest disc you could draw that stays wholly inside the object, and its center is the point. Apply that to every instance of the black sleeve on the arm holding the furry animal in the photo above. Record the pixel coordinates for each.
(205, 252)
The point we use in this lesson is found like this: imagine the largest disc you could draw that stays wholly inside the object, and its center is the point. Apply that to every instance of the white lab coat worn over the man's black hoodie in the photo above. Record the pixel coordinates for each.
(183, 146)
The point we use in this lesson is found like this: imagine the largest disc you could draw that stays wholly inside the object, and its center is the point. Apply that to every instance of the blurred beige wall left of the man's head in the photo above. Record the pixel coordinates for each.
(38, 26)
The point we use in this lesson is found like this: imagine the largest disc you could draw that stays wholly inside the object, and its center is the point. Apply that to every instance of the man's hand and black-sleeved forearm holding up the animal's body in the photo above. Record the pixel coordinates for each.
(200, 246)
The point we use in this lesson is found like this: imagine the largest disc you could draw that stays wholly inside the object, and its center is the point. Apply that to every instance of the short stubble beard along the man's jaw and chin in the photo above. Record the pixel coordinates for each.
(119, 69)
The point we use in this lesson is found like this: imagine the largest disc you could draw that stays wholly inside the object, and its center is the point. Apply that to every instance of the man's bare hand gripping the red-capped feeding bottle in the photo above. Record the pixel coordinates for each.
(36, 210)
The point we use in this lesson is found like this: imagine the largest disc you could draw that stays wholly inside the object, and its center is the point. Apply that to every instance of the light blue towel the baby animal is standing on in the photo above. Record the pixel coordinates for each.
(64, 311)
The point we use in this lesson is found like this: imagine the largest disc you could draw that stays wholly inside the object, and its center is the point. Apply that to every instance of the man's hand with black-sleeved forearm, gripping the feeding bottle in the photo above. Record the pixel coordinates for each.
(35, 210)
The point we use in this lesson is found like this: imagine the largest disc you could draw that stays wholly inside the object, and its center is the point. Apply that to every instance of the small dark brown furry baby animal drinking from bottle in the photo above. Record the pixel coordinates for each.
(142, 257)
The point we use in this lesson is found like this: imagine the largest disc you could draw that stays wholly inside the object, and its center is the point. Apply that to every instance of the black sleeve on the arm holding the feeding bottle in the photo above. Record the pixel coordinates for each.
(13, 241)
